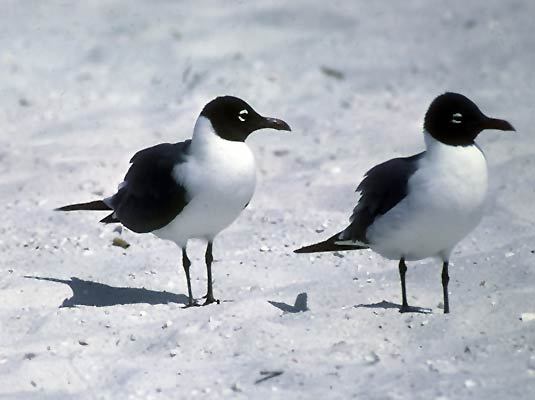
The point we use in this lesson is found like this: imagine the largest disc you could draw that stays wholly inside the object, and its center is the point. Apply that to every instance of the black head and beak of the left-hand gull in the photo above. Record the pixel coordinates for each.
(234, 119)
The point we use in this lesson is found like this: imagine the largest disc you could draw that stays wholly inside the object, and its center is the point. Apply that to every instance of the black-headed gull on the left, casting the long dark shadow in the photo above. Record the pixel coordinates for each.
(191, 189)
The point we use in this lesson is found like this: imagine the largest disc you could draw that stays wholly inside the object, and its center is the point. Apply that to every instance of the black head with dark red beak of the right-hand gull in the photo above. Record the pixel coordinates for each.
(455, 120)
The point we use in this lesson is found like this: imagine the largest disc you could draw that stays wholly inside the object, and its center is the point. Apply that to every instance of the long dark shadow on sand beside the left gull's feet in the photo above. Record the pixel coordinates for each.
(89, 293)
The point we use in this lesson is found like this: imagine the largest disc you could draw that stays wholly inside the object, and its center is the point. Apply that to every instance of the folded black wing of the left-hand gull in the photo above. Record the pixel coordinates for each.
(150, 197)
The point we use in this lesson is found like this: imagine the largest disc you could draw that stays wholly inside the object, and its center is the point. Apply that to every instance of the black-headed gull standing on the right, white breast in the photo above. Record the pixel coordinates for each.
(422, 206)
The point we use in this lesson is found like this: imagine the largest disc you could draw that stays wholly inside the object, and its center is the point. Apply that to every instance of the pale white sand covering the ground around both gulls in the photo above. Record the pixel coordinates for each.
(87, 84)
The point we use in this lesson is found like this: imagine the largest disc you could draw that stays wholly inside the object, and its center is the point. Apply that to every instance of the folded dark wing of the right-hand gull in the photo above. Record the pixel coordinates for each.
(384, 186)
